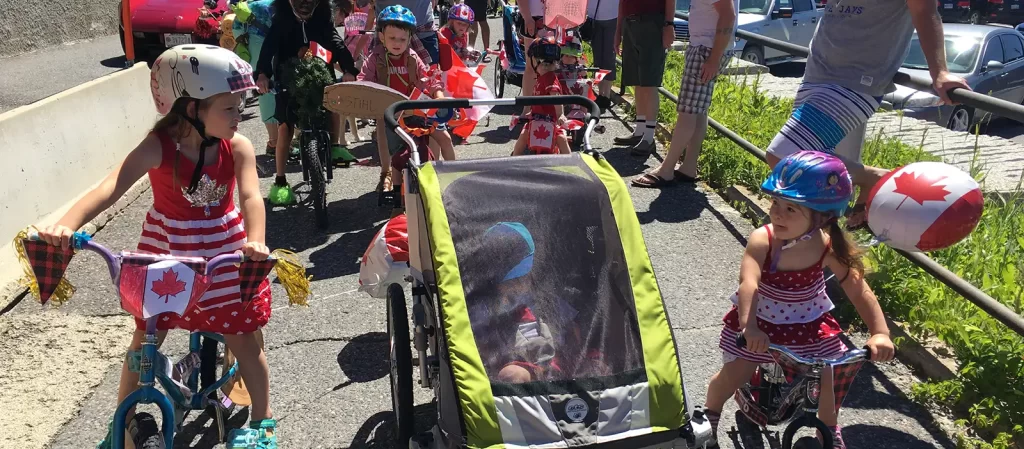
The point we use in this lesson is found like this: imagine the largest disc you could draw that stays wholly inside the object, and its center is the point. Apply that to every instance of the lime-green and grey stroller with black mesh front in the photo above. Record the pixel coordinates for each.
(581, 297)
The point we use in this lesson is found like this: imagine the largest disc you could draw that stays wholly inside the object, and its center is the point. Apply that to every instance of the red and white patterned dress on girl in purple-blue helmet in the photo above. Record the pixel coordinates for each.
(793, 310)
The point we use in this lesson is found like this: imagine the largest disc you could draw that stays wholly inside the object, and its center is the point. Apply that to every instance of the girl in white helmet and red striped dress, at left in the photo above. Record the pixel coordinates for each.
(195, 158)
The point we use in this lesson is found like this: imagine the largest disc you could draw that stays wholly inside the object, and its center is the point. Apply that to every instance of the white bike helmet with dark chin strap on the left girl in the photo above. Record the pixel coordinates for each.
(197, 72)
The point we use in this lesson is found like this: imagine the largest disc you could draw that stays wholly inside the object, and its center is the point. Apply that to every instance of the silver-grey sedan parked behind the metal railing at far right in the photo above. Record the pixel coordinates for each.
(991, 59)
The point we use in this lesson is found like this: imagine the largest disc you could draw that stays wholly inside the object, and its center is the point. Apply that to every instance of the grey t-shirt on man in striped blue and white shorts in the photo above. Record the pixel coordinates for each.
(861, 45)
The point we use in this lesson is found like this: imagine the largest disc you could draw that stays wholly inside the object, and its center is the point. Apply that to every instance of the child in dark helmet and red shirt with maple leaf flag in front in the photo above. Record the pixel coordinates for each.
(545, 132)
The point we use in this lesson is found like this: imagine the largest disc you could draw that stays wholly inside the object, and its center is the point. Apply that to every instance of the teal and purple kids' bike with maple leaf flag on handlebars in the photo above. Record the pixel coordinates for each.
(182, 380)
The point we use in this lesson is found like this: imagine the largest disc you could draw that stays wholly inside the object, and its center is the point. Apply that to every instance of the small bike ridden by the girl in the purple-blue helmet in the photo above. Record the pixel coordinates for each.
(788, 392)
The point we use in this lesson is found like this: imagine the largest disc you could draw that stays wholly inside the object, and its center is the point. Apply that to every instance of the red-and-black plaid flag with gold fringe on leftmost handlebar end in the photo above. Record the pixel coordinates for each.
(45, 267)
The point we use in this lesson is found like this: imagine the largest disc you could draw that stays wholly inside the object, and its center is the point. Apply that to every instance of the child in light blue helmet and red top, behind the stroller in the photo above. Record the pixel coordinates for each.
(393, 65)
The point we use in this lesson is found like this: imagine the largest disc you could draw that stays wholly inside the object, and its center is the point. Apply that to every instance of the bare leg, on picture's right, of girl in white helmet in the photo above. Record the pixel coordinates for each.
(254, 371)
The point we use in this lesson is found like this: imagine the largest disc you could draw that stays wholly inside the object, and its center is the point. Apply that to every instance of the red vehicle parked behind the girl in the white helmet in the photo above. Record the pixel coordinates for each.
(158, 25)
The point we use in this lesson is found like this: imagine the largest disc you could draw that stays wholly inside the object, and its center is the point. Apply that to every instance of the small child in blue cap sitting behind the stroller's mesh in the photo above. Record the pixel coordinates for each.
(506, 302)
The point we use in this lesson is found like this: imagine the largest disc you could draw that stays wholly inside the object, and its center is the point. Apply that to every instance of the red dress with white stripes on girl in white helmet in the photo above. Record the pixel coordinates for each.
(205, 224)
